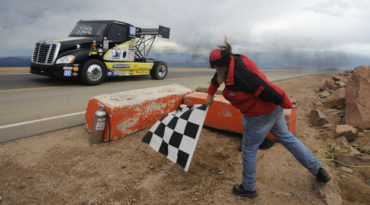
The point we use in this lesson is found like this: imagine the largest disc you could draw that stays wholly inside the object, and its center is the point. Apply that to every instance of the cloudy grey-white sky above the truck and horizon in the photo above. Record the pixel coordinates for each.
(283, 27)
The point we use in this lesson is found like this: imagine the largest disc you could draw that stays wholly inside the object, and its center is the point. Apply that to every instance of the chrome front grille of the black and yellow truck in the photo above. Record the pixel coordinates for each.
(45, 53)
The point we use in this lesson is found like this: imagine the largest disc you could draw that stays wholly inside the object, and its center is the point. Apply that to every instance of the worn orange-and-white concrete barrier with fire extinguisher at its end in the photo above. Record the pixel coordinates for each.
(131, 111)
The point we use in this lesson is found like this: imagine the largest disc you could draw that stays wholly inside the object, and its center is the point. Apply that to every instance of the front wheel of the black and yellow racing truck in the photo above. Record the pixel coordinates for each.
(93, 72)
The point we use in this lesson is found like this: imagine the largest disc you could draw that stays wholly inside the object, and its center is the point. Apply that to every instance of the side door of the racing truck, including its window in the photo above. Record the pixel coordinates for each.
(119, 44)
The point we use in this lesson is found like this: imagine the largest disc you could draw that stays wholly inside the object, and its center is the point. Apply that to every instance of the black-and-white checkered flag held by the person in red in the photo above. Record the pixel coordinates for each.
(176, 134)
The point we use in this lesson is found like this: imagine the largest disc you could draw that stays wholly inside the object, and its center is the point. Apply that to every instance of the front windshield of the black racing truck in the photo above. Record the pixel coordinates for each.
(86, 29)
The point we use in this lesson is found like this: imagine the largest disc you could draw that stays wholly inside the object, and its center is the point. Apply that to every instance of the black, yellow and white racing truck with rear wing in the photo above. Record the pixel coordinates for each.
(98, 49)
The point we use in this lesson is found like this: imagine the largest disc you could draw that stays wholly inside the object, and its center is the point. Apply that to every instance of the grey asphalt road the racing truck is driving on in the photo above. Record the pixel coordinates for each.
(31, 105)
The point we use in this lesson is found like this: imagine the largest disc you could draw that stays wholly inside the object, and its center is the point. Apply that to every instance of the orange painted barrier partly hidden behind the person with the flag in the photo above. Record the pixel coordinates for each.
(222, 115)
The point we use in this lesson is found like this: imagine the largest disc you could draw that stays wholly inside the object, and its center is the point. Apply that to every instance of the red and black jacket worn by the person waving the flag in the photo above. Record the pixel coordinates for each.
(249, 100)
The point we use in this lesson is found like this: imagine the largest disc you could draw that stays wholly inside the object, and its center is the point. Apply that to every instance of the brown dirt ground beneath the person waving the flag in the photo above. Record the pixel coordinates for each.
(61, 168)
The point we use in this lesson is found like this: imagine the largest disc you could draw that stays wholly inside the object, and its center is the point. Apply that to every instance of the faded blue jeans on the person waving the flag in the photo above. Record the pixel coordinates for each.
(255, 131)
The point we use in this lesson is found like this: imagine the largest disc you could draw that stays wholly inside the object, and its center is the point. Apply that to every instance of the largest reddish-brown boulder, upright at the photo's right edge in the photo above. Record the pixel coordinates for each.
(358, 99)
